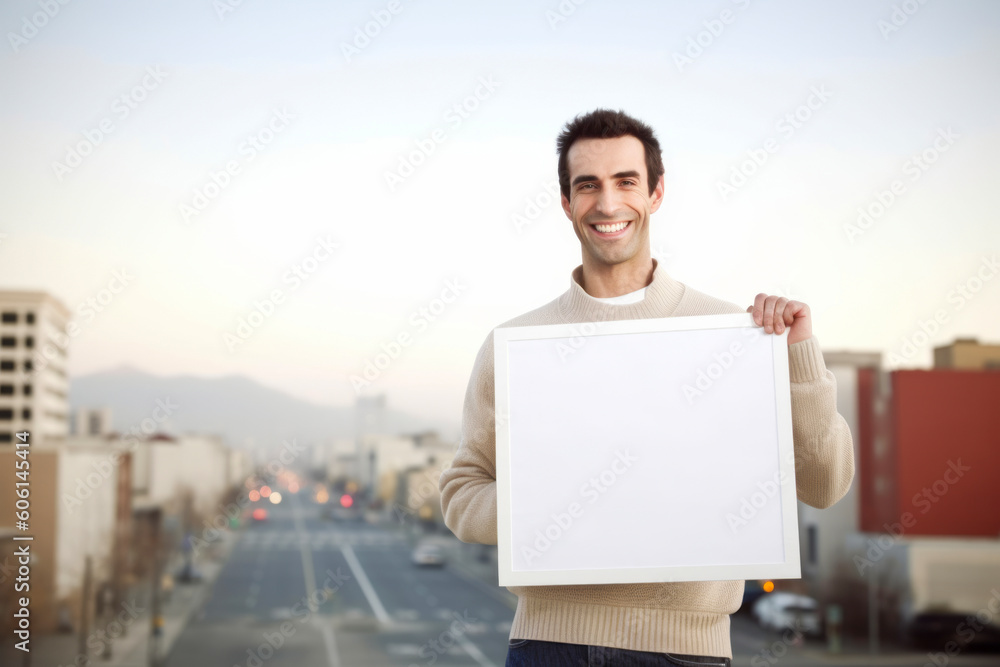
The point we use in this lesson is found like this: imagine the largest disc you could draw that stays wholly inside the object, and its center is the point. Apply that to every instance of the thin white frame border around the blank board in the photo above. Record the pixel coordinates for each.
(576, 335)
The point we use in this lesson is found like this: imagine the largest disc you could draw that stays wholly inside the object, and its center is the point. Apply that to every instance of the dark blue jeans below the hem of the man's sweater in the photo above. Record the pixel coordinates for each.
(535, 653)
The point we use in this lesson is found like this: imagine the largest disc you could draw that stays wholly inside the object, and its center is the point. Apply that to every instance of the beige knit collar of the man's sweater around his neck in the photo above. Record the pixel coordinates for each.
(662, 296)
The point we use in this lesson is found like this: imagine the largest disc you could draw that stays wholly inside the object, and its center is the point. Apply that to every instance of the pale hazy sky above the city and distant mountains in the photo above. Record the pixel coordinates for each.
(202, 150)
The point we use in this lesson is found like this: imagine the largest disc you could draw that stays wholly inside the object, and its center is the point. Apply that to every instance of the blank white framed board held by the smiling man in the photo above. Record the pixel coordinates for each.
(644, 451)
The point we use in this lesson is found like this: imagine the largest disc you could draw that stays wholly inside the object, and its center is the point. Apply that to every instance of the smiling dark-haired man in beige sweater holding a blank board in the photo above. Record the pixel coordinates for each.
(611, 177)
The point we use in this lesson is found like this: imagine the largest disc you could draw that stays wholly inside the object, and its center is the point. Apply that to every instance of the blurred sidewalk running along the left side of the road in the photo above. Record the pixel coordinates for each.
(132, 649)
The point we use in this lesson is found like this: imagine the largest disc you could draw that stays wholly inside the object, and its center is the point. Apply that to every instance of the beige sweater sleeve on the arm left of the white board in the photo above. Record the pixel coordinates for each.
(468, 487)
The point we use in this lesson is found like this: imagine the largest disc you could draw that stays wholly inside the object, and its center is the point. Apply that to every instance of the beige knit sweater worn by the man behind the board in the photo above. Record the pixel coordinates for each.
(685, 617)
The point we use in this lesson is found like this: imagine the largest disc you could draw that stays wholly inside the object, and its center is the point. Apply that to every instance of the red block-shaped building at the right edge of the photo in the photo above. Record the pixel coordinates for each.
(933, 454)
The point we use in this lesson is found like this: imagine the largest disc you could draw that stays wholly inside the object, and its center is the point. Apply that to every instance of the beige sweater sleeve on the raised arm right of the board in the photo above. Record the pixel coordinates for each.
(824, 449)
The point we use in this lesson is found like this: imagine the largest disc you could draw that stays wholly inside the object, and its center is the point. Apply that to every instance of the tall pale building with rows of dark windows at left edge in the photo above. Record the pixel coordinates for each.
(33, 383)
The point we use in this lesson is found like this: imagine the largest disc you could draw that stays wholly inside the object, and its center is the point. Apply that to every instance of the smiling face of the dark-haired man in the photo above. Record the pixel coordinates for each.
(609, 201)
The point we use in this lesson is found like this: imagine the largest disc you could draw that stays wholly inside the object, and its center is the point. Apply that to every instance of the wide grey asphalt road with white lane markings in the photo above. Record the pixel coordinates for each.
(371, 605)
